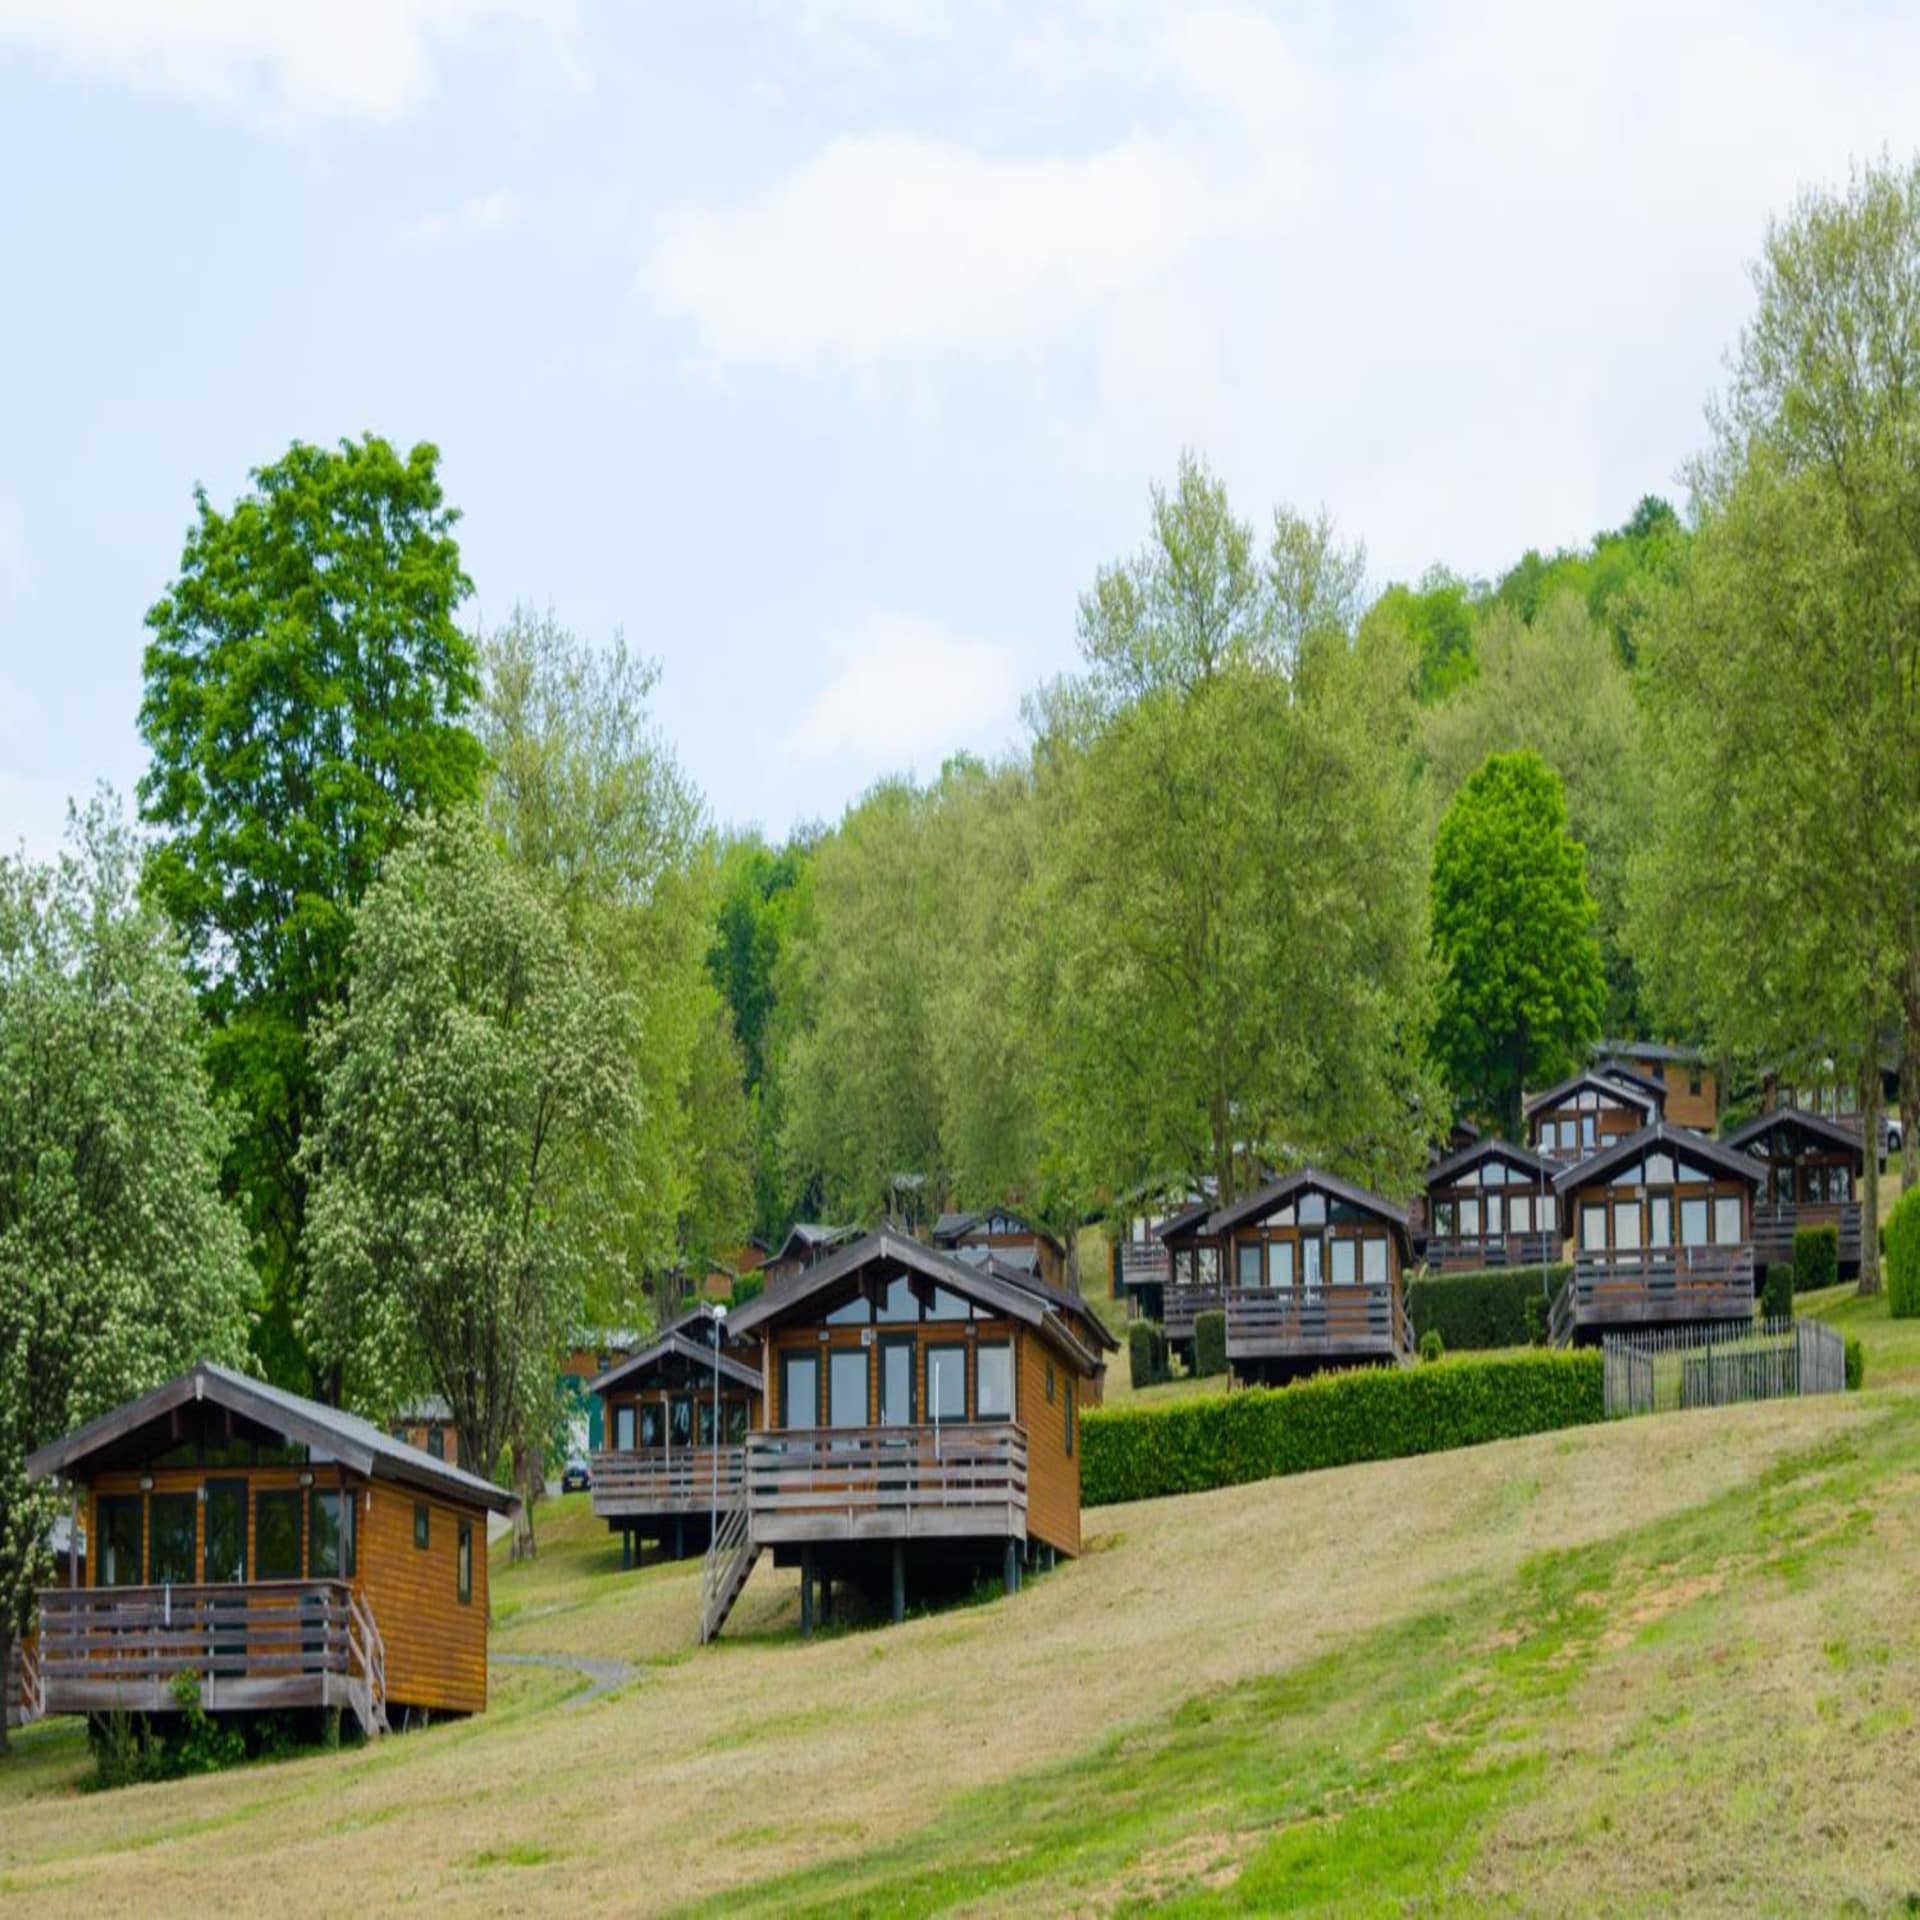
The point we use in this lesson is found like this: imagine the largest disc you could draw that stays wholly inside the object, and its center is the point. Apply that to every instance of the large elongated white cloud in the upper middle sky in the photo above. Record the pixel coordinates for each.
(892, 245)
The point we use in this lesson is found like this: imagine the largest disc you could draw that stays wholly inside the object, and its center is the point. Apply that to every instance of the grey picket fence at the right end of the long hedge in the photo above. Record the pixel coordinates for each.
(1675, 1368)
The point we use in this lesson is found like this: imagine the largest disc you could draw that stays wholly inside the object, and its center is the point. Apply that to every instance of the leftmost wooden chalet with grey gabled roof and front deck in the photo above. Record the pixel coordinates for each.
(287, 1554)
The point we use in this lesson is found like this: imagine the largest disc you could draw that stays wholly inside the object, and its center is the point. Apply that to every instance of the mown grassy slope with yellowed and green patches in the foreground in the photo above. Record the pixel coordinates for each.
(1669, 1660)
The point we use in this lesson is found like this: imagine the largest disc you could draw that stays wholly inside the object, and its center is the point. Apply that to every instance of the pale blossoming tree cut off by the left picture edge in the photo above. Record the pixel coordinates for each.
(120, 1262)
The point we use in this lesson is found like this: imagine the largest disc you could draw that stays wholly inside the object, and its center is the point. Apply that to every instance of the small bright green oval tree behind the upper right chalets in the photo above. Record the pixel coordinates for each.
(1522, 986)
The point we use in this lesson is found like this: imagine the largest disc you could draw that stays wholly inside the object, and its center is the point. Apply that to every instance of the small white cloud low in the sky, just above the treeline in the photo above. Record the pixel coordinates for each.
(901, 692)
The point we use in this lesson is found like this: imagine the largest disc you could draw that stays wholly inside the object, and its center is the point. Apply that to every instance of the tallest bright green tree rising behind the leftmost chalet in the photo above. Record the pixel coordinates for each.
(306, 688)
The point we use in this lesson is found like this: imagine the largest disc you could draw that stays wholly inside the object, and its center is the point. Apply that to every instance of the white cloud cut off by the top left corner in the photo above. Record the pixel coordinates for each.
(285, 62)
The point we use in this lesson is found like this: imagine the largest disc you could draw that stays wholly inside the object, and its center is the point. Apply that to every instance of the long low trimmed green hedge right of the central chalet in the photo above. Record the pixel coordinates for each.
(1332, 1420)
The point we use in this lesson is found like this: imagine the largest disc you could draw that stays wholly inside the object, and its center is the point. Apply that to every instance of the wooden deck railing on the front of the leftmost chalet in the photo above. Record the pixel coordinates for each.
(262, 1646)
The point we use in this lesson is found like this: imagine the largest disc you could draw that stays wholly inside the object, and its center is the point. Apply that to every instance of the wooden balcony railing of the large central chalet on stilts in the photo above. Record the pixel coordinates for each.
(888, 1483)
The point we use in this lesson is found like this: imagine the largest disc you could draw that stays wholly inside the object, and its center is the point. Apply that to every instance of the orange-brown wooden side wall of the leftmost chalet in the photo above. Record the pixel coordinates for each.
(435, 1644)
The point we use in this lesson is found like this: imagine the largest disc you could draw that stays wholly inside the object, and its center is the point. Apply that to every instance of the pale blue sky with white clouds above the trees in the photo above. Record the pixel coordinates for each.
(828, 348)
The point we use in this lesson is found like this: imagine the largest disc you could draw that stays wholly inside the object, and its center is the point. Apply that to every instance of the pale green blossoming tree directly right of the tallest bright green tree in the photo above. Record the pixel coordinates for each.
(475, 1093)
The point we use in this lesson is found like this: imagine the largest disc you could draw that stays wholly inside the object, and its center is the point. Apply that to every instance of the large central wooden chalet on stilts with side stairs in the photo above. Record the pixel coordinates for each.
(919, 1426)
